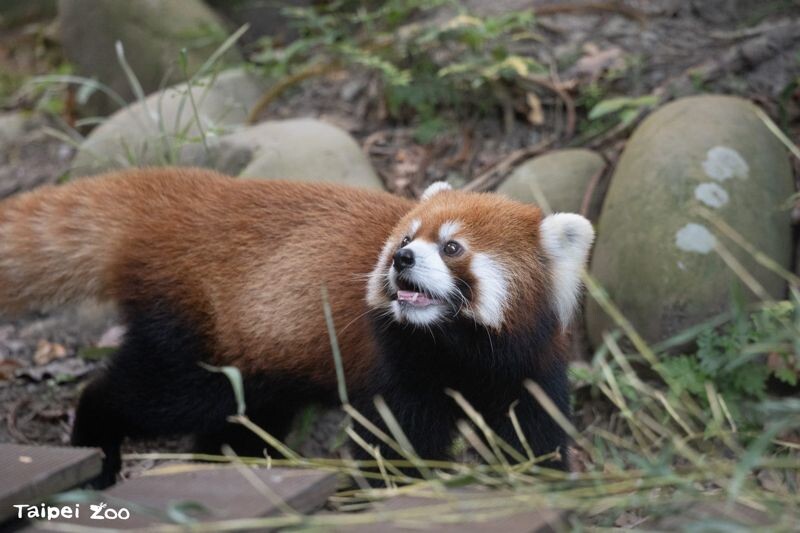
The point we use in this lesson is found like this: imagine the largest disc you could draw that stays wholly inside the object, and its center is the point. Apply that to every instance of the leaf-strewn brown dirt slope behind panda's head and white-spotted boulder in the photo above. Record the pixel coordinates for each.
(671, 48)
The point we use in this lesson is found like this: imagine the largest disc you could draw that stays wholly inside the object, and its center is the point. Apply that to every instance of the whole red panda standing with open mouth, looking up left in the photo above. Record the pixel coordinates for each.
(463, 291)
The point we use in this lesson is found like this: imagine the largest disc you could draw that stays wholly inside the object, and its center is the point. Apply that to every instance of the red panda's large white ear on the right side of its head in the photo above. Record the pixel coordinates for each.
(566, 238)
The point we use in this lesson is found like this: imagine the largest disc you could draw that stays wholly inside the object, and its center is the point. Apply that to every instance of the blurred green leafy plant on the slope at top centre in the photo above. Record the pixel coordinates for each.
(431, 72)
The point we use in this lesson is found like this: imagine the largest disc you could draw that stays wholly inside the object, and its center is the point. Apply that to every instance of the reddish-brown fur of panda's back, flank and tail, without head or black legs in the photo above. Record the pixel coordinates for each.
(237, 254)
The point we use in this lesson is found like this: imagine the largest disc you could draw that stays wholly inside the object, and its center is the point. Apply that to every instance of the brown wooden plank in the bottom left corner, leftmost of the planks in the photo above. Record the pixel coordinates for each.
(29, 474)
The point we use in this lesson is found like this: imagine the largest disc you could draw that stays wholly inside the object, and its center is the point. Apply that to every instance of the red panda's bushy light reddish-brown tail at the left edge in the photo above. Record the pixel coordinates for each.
(57, 243)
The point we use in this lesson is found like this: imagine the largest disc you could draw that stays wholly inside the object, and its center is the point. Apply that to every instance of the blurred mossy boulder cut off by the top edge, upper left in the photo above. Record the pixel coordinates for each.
(152, 32)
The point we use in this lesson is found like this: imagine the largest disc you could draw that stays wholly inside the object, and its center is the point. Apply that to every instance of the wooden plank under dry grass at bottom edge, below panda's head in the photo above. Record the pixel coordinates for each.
(429, 516)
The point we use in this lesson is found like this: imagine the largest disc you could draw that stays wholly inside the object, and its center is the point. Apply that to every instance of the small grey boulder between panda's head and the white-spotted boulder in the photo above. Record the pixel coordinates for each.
(561, 177)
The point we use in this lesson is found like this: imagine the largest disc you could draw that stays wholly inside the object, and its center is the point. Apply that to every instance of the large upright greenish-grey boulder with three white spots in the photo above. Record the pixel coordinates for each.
(655, 256)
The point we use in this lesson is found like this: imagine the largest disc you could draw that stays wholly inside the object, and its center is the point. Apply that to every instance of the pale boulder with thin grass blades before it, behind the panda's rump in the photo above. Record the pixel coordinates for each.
(155, 132)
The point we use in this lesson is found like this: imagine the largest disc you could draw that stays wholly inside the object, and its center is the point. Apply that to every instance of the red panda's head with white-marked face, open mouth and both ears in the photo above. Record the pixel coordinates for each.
(479, 256)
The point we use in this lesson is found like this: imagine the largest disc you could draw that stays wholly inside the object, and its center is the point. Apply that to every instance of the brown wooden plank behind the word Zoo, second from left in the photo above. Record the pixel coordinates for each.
(222, 492)
